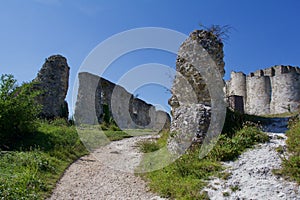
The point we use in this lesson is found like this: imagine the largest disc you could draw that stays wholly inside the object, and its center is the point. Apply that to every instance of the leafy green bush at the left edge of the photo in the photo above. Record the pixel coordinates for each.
(19, 109)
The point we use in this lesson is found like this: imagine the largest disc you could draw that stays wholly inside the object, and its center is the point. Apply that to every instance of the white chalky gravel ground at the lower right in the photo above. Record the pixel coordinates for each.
(251, 175)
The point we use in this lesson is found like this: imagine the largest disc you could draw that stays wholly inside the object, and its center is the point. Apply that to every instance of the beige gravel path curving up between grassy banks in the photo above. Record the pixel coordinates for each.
(98, 176)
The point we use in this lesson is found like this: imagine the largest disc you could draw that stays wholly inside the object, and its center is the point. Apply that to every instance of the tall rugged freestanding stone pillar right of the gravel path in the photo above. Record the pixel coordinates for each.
(191, 100)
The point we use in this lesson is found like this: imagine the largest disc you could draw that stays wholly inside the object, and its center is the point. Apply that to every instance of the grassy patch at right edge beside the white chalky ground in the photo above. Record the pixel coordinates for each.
(291, 165)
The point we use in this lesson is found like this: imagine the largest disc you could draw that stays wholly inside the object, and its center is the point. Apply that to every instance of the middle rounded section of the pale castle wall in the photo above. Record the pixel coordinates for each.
(258, 95)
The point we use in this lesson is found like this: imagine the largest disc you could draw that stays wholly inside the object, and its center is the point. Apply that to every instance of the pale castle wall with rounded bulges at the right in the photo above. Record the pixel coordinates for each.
(274, 90)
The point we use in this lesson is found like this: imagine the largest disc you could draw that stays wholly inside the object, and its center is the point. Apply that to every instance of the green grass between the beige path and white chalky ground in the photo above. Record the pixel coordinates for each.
(184, 178)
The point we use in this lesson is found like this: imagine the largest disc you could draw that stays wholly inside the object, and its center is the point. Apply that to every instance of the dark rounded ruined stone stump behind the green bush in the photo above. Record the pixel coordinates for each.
(53, 80)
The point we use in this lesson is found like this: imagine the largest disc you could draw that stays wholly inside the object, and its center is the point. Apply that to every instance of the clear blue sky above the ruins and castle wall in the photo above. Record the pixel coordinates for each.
(265, 32)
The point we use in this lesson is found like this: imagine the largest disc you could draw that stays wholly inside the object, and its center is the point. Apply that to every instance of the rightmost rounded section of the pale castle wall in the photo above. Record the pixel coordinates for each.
(285, 93)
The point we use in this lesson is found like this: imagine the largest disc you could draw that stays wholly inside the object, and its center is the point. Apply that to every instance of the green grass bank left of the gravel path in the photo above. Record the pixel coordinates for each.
(33, 165)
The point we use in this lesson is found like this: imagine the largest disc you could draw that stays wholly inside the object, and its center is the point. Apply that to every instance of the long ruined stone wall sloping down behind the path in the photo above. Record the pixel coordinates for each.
(99, 100)
